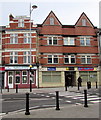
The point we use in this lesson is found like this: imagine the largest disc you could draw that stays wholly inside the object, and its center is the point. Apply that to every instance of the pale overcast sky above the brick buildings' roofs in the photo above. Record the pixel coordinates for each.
(67, 11)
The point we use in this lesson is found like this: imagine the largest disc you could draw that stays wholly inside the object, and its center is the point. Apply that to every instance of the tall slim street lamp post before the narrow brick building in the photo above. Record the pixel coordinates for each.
(31, 9)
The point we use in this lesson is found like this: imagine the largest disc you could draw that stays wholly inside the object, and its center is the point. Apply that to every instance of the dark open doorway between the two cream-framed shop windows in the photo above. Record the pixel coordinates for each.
(70, 78)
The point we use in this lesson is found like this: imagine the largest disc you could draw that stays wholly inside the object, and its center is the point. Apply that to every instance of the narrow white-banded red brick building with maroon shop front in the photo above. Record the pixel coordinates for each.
(16, 52)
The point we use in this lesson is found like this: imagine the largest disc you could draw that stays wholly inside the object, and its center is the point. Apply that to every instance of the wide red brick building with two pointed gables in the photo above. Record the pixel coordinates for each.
(67, 52)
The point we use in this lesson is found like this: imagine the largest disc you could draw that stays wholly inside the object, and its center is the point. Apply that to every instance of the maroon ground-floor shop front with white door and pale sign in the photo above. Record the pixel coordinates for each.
(20, 76)
